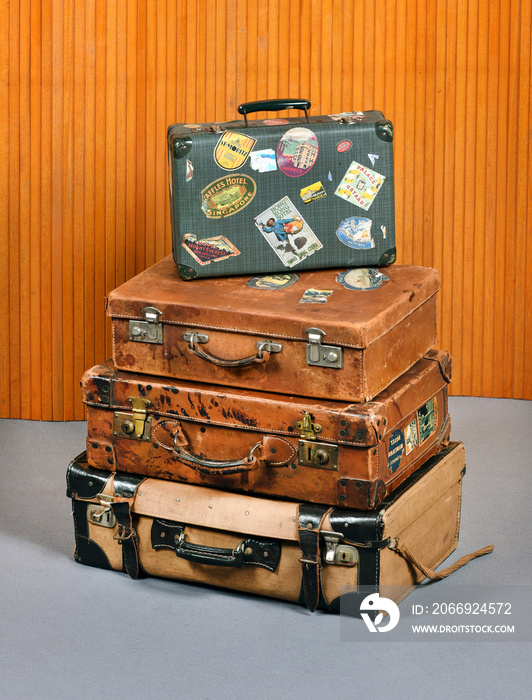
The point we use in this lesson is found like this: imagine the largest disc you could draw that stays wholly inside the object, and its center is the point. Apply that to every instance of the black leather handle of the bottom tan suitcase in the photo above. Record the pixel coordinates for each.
(256, 552)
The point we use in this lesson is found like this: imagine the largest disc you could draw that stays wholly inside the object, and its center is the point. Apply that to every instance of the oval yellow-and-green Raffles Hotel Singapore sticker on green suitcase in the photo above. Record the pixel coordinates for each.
(227, 195)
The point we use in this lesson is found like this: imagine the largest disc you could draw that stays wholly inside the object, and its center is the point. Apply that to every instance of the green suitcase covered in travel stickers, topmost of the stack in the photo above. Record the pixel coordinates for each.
(281, 195)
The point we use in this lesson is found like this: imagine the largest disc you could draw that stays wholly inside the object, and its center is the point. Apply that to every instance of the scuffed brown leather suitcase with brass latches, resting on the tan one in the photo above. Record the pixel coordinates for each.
(346, 454)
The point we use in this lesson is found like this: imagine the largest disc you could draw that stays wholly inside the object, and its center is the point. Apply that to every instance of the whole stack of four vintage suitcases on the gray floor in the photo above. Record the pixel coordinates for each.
(274, 418)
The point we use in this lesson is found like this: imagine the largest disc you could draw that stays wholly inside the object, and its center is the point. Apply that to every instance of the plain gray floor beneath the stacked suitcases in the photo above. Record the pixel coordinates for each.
(70, 631)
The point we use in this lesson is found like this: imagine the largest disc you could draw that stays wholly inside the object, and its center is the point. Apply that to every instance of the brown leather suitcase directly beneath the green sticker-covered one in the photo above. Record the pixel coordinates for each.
(333, 334)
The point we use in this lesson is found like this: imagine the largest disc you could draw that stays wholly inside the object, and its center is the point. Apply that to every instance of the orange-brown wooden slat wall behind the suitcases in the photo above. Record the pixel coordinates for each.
(88, 88)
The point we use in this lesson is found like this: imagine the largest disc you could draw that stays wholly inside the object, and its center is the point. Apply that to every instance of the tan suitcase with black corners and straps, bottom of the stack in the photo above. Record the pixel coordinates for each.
(292, 551)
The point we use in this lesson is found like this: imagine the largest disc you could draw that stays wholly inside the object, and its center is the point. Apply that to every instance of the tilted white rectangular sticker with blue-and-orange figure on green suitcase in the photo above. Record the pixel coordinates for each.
(287, 232)
